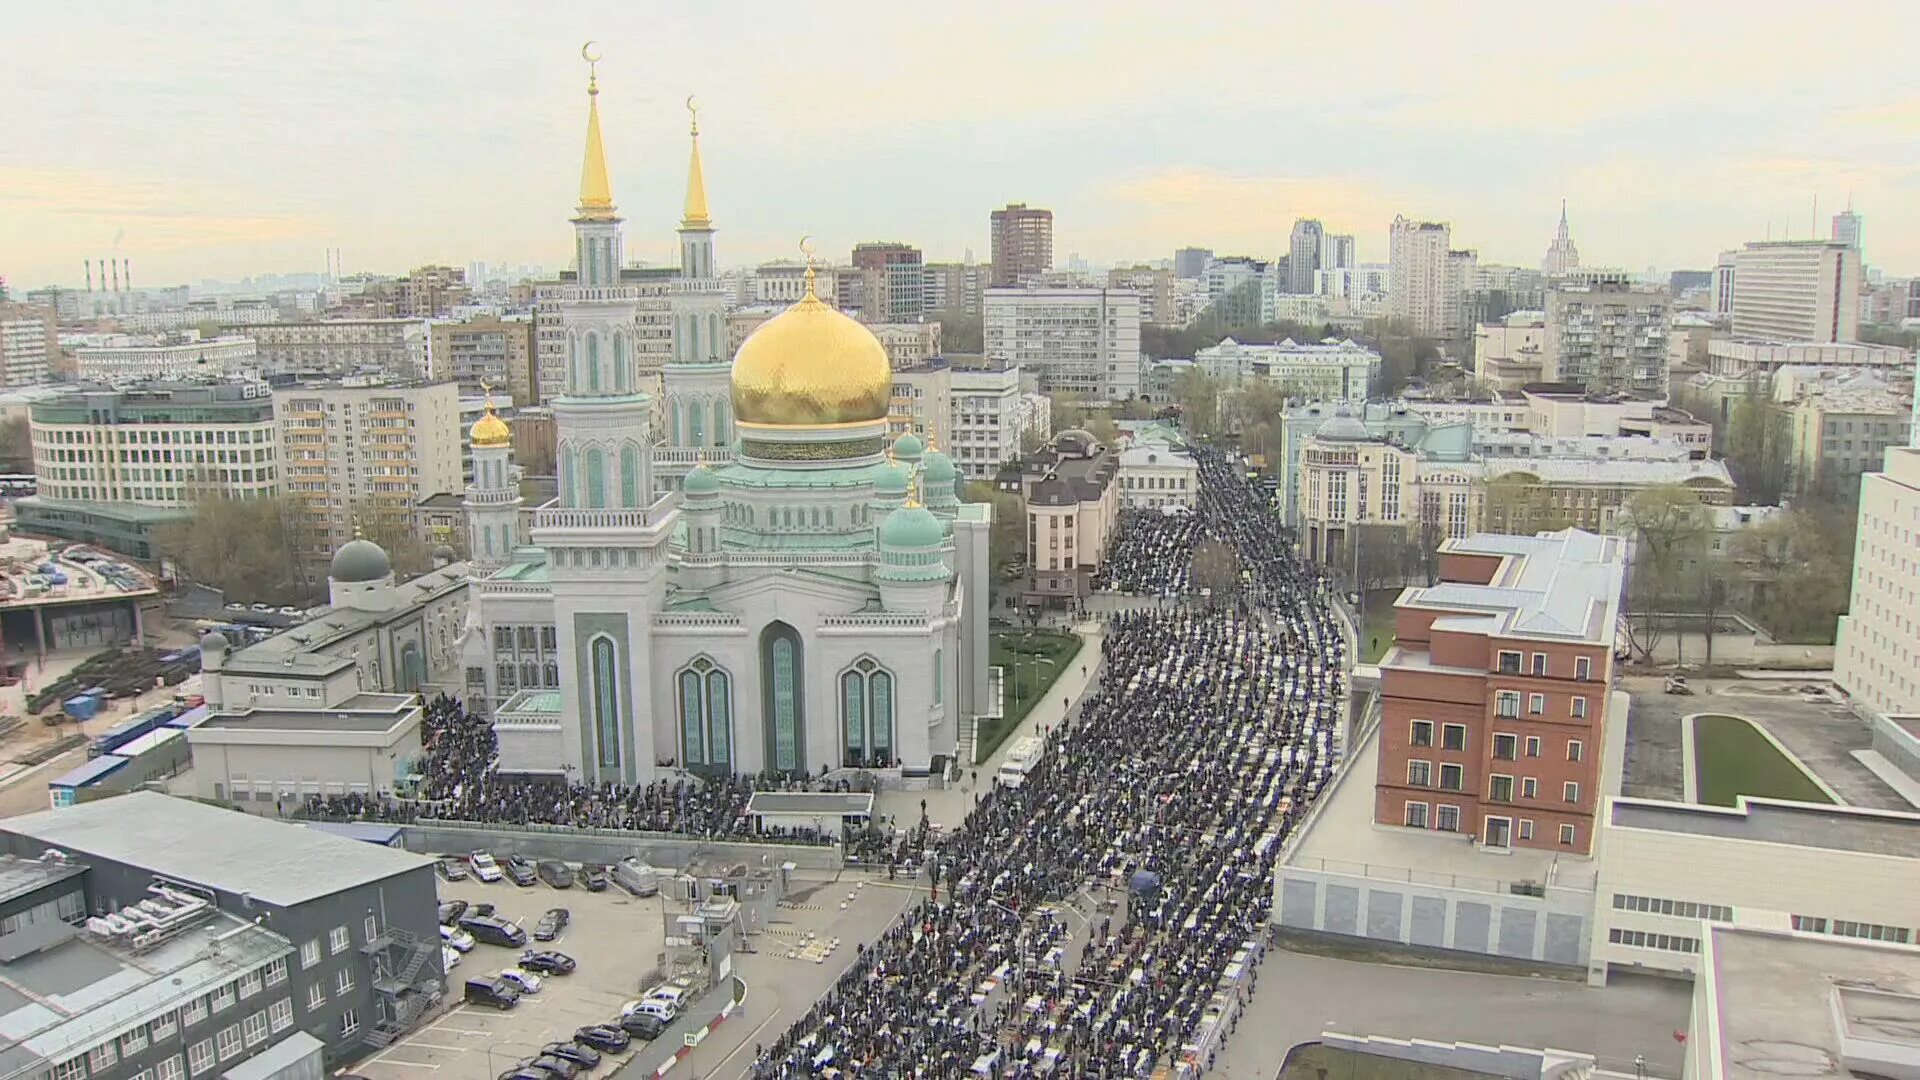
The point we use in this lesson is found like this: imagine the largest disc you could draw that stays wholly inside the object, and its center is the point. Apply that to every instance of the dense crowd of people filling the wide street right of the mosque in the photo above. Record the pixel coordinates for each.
(1153, 820)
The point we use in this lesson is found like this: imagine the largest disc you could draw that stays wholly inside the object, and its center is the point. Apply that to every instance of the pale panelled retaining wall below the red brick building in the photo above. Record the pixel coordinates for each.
(1550, 929)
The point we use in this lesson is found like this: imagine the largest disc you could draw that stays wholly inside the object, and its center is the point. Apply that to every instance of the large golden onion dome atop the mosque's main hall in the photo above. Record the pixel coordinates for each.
(811, 366)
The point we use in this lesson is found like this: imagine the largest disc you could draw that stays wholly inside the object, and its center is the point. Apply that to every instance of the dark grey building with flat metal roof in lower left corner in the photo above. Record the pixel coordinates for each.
(276, 929)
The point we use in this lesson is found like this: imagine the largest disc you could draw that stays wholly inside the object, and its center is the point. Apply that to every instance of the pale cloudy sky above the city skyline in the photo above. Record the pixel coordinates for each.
(218, 141)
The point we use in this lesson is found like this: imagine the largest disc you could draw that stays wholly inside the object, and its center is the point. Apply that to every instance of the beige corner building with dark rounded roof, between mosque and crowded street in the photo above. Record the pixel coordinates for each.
(1072, 510)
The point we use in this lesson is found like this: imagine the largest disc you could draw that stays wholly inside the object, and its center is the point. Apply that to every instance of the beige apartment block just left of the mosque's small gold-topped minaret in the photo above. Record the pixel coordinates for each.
(362, 449)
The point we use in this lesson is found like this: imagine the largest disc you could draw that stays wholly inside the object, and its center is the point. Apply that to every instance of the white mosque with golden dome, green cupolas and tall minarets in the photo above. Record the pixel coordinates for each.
(805, 599)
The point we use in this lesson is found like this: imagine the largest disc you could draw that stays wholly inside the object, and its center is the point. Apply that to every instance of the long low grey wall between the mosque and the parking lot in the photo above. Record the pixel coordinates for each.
(610, 847)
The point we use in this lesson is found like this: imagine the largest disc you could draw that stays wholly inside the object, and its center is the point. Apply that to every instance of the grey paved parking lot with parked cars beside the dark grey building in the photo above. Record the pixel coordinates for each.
(615, 939)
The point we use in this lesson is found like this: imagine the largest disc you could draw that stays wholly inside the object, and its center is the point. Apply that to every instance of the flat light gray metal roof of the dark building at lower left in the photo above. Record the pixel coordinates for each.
(216, 848)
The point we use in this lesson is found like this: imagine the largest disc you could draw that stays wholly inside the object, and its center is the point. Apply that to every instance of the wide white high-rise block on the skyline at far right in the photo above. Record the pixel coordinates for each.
(1798, 291)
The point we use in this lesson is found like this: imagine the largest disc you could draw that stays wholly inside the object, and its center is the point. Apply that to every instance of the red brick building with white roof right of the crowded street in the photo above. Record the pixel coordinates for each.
(1497, 691)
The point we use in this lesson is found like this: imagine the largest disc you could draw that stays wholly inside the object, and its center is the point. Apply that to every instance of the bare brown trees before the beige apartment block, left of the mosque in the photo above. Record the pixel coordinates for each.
(243, 549)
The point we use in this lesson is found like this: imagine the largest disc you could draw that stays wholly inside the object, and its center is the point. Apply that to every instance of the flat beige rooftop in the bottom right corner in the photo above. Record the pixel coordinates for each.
(1785, 1004)
